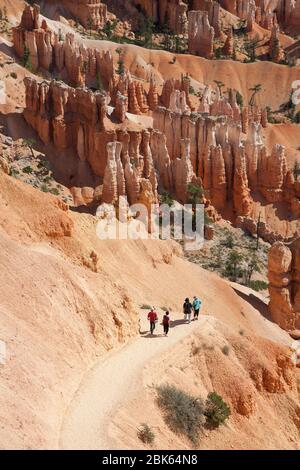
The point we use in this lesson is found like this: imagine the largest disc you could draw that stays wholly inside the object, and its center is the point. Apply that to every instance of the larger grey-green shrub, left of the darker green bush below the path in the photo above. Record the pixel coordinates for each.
(183, 413)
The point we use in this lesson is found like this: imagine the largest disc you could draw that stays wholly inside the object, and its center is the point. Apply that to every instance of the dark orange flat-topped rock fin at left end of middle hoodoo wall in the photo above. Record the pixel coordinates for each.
(70, 119)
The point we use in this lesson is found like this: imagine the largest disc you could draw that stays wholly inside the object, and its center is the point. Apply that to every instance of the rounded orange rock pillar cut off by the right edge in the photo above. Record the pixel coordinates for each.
(284, 284)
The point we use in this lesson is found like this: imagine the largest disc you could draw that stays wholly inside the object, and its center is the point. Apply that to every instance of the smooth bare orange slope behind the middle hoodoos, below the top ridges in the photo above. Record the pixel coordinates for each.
(276, 80)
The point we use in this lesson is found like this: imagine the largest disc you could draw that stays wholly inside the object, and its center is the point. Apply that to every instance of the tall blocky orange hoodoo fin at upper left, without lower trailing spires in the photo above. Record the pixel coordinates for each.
(48, 50)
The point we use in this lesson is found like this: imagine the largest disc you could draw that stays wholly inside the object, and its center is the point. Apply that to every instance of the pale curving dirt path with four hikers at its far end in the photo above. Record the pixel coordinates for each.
(114, 381)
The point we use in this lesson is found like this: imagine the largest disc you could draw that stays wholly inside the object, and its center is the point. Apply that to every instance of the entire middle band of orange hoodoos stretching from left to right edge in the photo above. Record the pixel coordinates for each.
(208, 149)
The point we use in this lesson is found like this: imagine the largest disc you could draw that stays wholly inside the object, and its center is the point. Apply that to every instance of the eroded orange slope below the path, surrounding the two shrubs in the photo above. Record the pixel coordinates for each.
(244, 377)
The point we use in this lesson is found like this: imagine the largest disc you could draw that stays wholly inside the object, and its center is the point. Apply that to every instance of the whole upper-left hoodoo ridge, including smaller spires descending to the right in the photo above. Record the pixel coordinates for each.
(76, 64)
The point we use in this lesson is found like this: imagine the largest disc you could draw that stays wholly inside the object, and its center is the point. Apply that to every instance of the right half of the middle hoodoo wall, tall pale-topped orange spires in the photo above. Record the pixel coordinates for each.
(230, 168)
